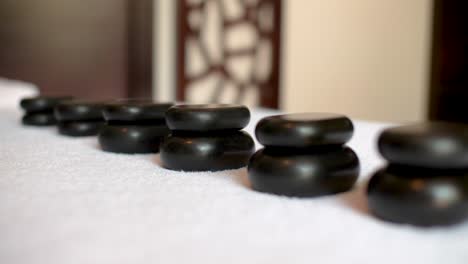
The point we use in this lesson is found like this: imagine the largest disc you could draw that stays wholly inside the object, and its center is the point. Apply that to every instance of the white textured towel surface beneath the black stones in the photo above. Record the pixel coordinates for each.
(62, 200)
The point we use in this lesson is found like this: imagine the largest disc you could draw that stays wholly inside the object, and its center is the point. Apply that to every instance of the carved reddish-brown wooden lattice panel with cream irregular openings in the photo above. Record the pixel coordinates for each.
(229, 51)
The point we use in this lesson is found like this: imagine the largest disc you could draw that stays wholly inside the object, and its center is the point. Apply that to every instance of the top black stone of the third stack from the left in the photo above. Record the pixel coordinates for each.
(135, 110)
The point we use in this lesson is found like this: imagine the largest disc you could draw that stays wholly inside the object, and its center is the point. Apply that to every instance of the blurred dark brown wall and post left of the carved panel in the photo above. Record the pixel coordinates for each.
(117, 64)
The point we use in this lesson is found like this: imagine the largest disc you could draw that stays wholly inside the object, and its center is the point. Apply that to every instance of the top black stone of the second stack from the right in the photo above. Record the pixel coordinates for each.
(304, 130)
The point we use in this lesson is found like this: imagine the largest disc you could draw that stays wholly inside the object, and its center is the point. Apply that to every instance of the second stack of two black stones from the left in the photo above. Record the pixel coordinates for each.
(79, 118)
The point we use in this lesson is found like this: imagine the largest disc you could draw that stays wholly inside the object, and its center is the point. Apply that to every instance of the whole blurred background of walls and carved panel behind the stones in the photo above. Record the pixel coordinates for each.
(392, 61)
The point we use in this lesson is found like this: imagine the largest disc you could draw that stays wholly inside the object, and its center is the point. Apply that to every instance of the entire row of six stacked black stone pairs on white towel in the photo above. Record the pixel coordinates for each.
(426, 182)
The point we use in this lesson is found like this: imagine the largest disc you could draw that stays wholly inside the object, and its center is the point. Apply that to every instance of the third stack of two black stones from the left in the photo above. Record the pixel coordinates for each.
(133, 126)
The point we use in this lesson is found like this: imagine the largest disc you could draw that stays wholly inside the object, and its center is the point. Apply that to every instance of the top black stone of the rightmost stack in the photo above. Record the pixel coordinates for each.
(431, 145)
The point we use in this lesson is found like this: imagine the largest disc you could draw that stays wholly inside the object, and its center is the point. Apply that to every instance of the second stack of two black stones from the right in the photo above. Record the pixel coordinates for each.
(304, 155)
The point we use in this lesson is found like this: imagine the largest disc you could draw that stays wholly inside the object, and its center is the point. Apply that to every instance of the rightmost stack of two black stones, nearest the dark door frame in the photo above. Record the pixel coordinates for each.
(426, 180)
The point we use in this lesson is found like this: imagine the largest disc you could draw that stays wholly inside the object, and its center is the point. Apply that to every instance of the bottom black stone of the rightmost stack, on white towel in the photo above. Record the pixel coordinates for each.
(419, 197)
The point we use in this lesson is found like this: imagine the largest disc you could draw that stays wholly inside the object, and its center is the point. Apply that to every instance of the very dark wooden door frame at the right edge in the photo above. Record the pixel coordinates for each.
(449, 66)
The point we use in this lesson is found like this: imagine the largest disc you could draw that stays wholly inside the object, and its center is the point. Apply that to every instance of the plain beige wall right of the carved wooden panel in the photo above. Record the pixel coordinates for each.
(365, 58)
